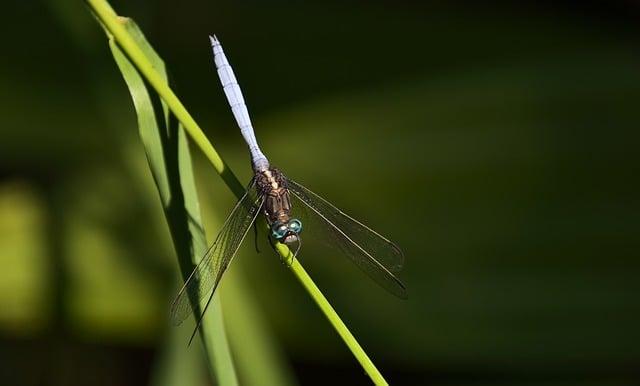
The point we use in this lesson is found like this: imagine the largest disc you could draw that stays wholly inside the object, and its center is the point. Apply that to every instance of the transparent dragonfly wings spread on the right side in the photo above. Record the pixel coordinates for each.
(371, 252)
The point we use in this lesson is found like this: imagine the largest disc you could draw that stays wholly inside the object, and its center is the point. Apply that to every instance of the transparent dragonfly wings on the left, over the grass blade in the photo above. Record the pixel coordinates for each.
(207, 274)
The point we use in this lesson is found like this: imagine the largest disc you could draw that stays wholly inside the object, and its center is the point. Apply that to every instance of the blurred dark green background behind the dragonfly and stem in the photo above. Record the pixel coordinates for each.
(496, 142)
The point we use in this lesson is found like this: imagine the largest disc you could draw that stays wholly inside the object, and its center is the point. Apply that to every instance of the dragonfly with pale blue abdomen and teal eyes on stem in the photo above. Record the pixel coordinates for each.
(288, 207)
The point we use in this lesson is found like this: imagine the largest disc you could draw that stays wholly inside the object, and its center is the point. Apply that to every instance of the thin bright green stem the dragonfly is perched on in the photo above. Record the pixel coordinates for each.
(112, 22)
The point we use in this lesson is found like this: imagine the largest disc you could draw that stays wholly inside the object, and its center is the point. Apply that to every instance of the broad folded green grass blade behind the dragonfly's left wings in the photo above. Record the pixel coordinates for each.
(167, 151)
